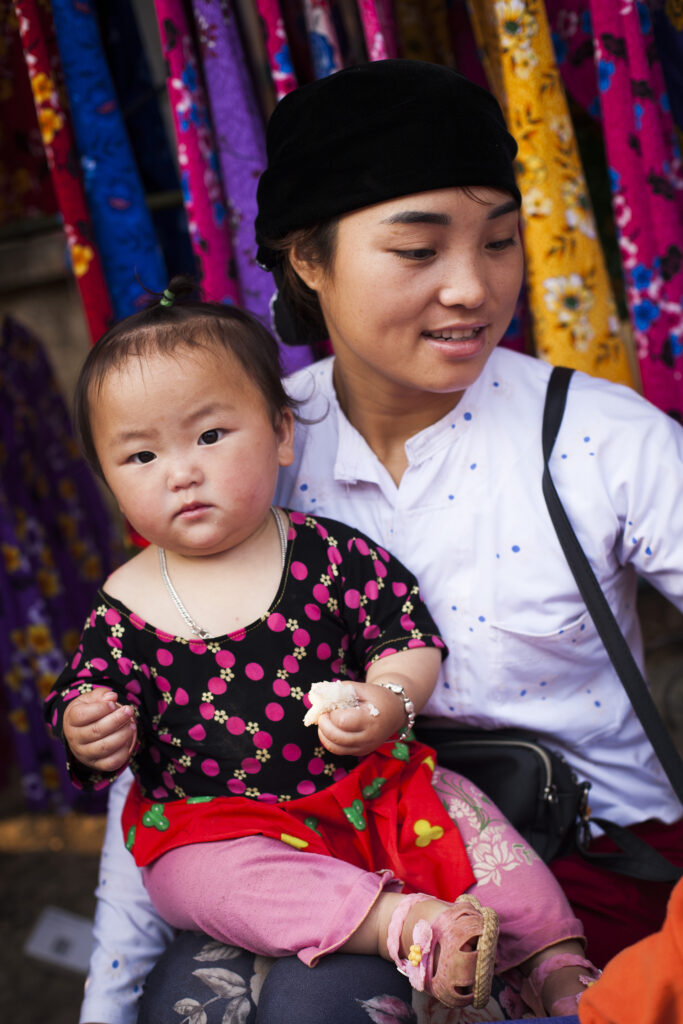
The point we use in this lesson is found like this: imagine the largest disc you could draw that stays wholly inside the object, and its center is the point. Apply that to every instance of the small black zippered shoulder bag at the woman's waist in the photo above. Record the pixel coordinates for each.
(535, 788)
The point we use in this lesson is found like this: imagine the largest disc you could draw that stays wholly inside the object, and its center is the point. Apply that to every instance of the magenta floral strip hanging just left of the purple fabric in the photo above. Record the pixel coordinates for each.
(200, 179)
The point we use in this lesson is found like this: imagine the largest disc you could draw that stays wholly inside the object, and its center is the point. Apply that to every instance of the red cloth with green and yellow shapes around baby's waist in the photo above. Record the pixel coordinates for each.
(385, 815)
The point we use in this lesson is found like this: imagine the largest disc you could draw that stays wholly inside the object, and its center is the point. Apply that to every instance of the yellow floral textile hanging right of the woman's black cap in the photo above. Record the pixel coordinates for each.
(571, 304)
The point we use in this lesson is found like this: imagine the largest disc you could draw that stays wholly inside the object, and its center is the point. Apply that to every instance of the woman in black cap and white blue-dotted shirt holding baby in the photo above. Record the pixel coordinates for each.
(390, 218)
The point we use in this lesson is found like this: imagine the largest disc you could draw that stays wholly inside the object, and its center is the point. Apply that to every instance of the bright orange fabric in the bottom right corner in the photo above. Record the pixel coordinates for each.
(644, 985)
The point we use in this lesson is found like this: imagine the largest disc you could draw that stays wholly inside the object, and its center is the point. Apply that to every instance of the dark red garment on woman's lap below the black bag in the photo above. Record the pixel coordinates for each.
(615, 910)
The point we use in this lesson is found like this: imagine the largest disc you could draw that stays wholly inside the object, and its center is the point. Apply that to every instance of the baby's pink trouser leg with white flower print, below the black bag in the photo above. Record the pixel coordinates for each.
(536, 919)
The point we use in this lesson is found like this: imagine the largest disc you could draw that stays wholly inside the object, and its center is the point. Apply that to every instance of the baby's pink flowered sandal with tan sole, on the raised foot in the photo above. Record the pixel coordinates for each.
(462, 940)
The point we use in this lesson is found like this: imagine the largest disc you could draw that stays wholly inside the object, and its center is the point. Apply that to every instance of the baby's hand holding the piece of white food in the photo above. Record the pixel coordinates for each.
(361, 731)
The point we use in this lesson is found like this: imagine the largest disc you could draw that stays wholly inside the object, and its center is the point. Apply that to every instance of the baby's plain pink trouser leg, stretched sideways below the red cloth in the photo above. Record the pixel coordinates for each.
(262, 894)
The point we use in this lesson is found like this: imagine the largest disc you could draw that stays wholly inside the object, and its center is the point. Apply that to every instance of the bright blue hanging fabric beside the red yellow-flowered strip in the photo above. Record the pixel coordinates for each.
(122, 224)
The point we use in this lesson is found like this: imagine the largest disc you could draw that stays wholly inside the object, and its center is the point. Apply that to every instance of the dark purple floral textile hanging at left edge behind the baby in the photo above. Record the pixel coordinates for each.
(57, 544)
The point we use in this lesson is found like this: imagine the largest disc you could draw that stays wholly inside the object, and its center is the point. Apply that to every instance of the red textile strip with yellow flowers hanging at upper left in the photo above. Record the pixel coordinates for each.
(42, 60)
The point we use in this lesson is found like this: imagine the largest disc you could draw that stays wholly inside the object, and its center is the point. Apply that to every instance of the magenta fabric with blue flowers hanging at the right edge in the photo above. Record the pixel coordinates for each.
(648, 193)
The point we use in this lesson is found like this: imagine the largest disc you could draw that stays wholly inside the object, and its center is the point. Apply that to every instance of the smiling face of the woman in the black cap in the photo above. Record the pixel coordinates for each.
(421, 290)
